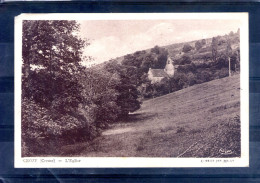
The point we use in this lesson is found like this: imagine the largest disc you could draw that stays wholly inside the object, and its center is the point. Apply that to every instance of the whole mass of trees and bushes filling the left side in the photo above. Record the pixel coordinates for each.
(62, 101)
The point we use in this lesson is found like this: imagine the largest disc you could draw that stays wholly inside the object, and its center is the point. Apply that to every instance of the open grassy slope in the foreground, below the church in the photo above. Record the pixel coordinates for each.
(199, 121)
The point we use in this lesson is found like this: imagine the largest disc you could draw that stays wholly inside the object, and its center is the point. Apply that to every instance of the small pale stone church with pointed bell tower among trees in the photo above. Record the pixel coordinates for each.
(156, 75)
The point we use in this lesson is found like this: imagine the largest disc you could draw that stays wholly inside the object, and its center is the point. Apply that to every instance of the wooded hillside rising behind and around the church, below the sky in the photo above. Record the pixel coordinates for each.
(195, 62)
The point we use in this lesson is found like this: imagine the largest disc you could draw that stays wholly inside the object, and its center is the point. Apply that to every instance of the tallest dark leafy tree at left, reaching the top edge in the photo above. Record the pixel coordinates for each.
(55, 51)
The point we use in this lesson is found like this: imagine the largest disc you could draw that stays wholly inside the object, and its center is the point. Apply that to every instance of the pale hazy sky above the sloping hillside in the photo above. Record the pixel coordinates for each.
(113, 38)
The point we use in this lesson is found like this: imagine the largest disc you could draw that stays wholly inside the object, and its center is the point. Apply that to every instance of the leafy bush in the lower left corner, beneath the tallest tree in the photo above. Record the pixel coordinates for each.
(44, 131)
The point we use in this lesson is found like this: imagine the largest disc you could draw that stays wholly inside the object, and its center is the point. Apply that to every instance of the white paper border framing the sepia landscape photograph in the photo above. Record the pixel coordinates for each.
(98, 162)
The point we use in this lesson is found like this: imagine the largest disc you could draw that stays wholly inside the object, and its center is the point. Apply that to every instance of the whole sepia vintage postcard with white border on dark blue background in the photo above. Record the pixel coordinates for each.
(131, 90)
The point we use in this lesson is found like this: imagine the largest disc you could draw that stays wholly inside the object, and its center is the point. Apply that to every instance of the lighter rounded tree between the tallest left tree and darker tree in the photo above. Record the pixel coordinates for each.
(100, 96)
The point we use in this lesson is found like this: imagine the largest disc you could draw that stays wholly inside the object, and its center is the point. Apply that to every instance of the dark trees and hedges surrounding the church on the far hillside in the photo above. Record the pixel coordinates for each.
(213, 64)
